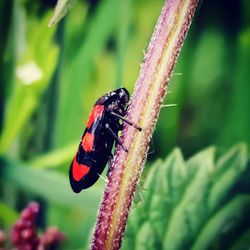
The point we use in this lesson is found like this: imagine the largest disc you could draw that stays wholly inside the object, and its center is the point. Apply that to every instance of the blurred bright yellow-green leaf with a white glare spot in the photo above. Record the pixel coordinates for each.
(33, 73)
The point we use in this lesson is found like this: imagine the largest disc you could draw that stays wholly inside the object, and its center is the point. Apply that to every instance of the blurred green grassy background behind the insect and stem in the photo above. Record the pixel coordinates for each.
(51, 77)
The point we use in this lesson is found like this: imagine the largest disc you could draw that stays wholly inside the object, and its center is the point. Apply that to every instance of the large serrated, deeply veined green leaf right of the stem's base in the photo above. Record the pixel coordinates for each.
(183, 199)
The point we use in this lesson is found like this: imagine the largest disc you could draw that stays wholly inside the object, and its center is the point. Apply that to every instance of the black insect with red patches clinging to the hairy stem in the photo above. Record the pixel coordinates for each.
(95, 149)
